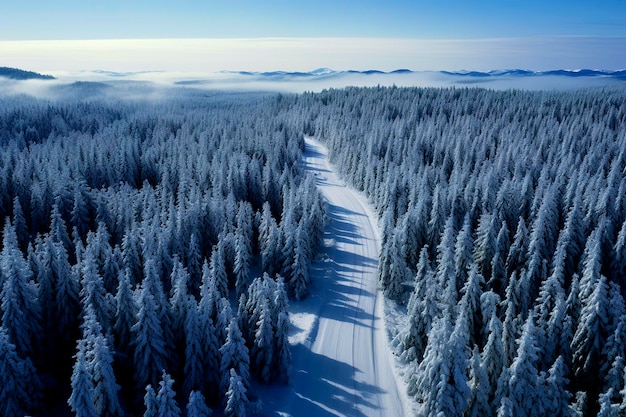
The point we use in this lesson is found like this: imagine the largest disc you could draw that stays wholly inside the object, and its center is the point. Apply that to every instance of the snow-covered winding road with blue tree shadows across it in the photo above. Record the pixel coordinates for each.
(342, 364)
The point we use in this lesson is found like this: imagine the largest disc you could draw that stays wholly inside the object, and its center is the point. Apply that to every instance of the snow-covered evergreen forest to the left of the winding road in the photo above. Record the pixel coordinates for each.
(133, 232)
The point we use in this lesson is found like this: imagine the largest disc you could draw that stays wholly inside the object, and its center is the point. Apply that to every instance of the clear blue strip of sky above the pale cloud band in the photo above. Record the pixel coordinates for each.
(123, 19)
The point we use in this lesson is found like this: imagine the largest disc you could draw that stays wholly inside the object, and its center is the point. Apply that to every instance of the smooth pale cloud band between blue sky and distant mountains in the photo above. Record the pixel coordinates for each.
(303, 54)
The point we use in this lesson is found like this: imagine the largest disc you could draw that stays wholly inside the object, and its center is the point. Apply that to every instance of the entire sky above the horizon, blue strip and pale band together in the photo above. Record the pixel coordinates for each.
(341, 34)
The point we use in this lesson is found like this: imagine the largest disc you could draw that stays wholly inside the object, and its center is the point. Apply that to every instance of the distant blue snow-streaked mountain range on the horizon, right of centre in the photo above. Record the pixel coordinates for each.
(327, 72)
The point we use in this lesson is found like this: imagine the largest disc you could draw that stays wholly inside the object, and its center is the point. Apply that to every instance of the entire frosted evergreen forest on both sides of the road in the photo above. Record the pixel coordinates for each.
(149, 247)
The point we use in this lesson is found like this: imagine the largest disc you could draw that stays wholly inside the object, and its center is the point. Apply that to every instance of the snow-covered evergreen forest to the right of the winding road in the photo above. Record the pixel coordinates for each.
(503, 226)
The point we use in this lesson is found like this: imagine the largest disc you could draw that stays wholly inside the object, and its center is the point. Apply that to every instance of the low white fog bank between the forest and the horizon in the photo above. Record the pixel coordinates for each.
(155, 85)
